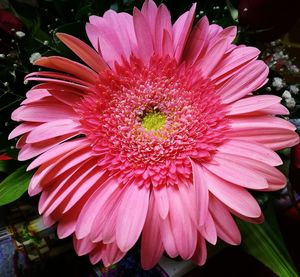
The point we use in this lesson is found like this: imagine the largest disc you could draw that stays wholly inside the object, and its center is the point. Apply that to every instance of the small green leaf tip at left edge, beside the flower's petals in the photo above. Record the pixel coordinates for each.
(13, 187)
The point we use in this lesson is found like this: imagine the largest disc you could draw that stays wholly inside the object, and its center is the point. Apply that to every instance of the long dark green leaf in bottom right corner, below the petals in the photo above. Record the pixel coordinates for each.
(265, 243)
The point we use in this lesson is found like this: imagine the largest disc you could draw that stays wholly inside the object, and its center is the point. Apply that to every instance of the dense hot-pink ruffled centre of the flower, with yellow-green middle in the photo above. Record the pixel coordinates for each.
(146, 121)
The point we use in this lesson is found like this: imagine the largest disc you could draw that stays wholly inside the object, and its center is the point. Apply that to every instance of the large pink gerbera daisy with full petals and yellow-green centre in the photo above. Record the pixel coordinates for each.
(159, 136)
